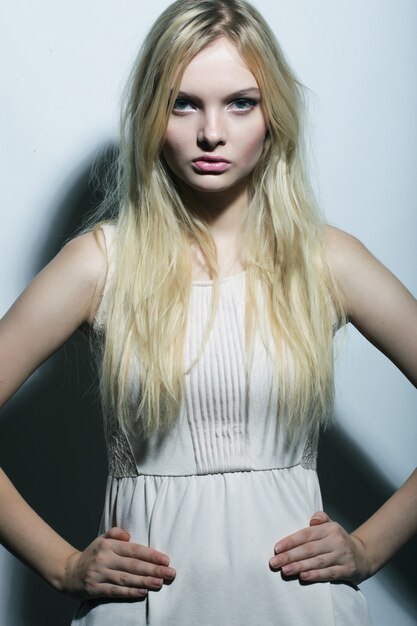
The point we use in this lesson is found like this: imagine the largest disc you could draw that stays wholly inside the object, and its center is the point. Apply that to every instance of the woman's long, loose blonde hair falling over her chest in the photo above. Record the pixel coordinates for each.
(146, 322)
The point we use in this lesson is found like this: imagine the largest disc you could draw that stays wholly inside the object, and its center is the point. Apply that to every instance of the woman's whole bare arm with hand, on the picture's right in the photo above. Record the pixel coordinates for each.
(385, 312)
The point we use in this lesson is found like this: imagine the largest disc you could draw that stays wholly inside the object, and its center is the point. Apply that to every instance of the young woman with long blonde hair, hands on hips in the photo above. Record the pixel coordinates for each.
(214, 295)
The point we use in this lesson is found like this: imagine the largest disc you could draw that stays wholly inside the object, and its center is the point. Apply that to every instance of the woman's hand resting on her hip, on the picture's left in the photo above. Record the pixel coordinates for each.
(113, 567)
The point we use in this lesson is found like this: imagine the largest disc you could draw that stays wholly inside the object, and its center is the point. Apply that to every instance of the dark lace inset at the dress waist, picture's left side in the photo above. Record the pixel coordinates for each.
(120, 457)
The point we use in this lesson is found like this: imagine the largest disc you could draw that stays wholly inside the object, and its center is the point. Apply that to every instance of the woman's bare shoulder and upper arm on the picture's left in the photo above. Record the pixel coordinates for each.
(62, 297)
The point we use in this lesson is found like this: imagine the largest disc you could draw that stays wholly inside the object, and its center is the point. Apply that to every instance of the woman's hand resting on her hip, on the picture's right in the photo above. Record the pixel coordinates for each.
(322, 552)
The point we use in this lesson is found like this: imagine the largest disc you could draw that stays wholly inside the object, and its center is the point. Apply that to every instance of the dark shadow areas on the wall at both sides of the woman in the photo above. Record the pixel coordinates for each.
(52, 447)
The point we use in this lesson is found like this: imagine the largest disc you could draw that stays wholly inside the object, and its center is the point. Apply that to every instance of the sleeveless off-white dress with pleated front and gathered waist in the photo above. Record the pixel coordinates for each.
(219, 491)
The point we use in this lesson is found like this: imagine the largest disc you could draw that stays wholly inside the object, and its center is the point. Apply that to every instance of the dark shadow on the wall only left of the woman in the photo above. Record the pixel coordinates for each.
(51, 435)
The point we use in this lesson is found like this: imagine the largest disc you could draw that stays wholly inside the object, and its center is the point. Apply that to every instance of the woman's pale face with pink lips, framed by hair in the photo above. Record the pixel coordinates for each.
(216, 130)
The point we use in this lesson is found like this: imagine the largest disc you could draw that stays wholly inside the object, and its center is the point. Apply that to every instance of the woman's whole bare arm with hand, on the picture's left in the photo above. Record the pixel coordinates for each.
(63, 296)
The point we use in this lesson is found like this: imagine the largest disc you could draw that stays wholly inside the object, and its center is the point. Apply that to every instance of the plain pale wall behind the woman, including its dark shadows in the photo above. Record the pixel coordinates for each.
(64, 65)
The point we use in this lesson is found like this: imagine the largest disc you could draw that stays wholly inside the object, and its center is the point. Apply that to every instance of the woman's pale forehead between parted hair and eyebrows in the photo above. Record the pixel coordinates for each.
(220, 65)
